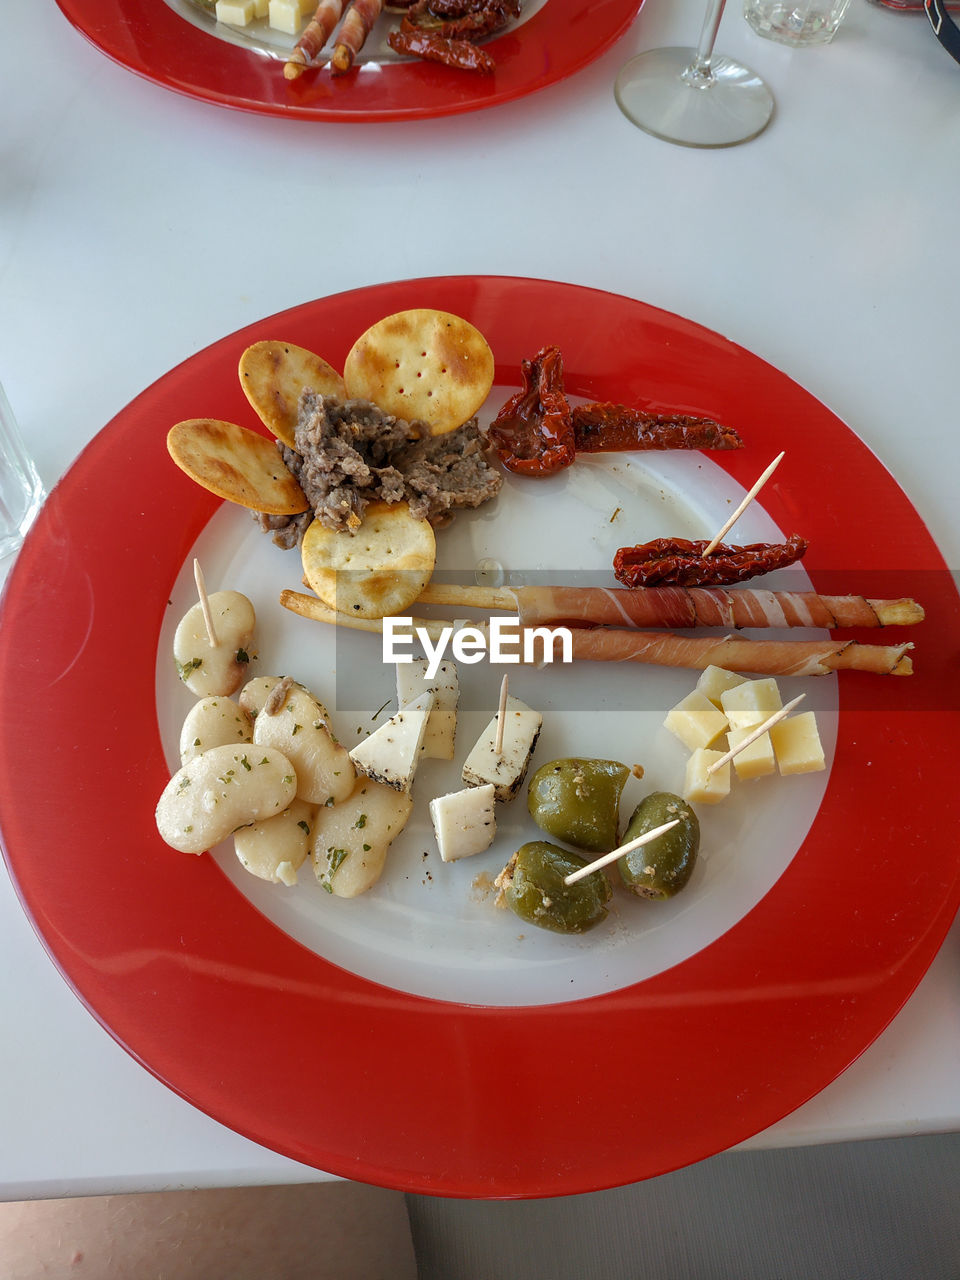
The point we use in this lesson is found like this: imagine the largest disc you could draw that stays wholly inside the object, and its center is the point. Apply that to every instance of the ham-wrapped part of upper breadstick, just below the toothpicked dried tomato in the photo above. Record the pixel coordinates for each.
(706, 607)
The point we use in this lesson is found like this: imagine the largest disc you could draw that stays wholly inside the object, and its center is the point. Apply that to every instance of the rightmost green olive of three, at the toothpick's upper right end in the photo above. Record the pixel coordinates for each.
(664, 867)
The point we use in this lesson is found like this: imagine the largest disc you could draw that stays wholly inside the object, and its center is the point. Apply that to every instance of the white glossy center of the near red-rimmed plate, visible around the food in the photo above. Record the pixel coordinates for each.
(433, 929)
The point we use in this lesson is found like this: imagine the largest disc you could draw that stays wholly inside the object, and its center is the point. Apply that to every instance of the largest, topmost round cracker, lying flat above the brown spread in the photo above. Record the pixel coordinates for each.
(423, 364)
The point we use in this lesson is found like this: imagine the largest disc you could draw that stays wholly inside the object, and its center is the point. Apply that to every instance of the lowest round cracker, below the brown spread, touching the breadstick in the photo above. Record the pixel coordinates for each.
(378, 572)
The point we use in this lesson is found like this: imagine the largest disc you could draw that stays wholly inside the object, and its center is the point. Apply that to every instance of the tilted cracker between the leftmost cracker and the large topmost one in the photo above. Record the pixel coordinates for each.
(273, 374)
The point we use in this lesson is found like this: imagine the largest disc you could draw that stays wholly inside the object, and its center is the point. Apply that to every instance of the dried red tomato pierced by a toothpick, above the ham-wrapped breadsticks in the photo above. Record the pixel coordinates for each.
(678, 563)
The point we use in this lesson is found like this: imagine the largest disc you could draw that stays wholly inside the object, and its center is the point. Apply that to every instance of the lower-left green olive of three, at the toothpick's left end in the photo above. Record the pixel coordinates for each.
(532, 886)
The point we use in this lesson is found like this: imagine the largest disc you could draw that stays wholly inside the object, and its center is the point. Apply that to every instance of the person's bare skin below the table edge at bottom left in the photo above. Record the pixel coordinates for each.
(317, 1232)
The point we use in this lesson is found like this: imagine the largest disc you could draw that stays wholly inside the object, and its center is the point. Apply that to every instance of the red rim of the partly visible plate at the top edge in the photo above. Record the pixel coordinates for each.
(148, 38)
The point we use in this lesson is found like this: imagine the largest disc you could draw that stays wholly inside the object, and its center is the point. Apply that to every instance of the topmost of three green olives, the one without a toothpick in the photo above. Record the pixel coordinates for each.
(579, 802)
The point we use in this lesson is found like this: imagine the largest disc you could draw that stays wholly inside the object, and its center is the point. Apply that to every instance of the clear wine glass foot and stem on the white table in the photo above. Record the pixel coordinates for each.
(693, 98)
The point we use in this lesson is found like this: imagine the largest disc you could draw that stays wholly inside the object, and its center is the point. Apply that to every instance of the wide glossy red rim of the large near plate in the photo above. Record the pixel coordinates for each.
(423, 1095)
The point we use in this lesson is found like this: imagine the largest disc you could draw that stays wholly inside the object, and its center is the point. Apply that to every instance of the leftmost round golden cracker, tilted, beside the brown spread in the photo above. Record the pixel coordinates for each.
(237, 465)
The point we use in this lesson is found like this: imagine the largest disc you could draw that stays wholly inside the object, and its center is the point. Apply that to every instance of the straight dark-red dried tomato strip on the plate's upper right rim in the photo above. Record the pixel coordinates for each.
(604, 428)
